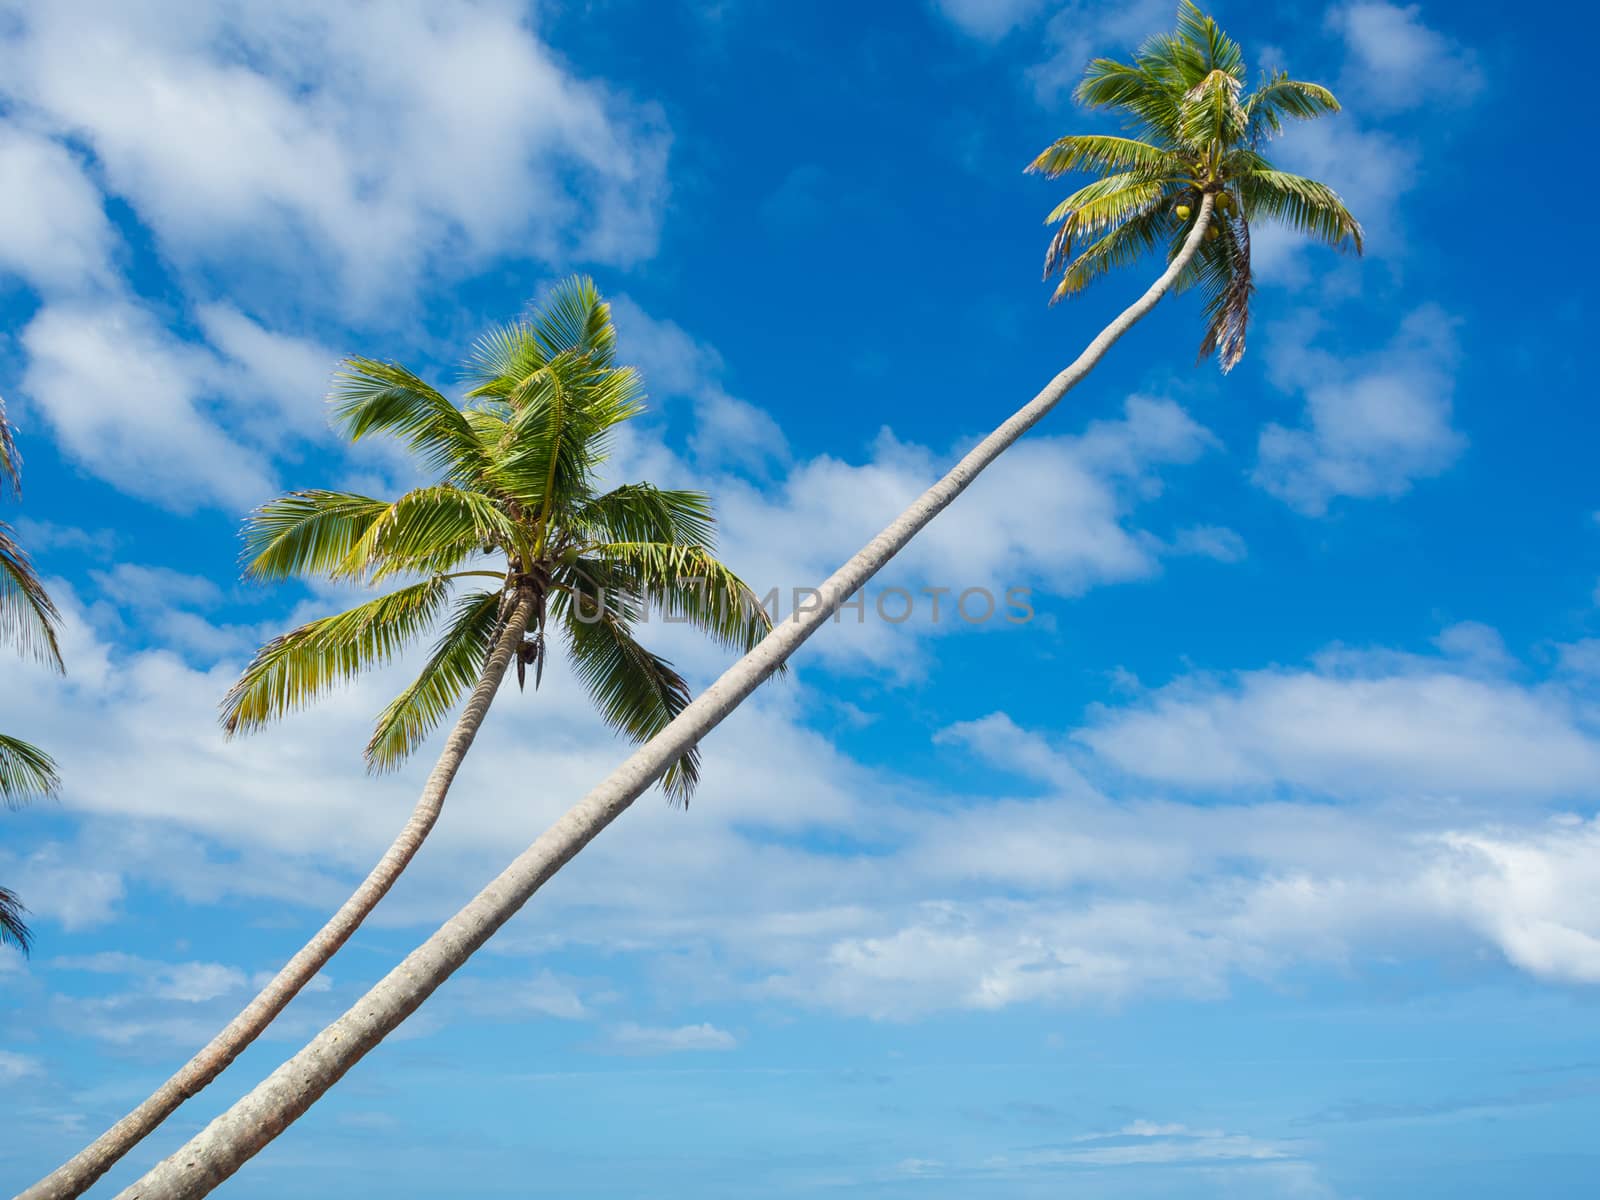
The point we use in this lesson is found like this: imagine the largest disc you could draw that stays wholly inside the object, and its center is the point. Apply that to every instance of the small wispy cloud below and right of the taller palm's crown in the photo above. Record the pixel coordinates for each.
(1374, 426)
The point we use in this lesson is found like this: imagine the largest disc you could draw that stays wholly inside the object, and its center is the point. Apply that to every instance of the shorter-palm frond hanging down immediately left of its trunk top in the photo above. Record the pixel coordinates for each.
(449, 674)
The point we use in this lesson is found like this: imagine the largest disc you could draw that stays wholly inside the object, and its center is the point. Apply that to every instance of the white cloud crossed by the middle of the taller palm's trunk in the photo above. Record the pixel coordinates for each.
(1074, 532)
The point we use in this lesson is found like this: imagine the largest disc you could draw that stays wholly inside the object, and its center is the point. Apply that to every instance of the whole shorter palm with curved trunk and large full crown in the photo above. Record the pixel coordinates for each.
(513, 548)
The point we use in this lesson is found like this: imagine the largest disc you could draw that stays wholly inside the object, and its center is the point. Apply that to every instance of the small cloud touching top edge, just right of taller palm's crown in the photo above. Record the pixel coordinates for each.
(1396, 62)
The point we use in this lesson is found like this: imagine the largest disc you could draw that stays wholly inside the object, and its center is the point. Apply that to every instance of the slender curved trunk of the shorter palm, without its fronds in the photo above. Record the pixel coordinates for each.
(79, 1174)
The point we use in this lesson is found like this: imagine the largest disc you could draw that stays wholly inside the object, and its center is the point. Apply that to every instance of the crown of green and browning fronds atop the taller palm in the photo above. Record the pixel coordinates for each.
(1194, 134)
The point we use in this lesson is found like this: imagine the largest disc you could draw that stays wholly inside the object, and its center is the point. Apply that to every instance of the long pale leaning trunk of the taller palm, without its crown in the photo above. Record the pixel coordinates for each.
(289, 1092)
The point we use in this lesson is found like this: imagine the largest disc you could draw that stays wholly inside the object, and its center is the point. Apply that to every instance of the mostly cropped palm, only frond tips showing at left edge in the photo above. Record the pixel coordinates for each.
(28, 620)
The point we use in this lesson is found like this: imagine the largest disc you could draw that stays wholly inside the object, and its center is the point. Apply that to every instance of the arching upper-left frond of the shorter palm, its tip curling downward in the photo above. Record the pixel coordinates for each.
(375, 398)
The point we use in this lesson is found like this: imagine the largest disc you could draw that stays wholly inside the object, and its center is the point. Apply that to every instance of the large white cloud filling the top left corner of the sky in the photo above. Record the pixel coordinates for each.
(244, 130)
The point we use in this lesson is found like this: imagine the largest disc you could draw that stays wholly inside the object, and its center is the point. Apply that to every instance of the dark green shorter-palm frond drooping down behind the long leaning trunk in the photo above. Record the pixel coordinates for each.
(636, 692)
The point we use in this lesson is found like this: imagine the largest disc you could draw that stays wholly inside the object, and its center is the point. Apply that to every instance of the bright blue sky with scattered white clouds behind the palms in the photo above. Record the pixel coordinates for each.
(1262, 863)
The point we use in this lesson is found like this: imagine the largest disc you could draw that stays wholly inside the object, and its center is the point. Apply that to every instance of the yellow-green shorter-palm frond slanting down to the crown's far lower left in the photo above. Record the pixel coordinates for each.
(297, 668)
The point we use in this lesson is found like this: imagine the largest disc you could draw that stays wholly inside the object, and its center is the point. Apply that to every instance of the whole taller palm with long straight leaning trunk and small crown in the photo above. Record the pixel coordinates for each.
(1182, 92)
